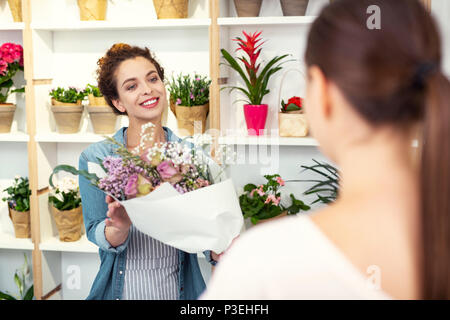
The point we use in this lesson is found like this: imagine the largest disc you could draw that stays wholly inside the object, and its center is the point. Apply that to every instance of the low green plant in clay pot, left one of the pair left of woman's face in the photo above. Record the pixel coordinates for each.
(67, 108)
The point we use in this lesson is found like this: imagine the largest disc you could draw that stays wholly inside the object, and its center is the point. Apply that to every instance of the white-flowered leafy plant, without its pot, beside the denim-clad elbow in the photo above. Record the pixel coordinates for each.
(66, 195)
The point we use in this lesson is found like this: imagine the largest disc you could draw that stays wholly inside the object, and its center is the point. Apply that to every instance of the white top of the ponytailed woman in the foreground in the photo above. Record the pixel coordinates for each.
(289, 259)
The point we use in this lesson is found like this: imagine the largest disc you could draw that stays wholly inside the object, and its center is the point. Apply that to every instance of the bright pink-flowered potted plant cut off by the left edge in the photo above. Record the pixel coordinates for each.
(11, 61)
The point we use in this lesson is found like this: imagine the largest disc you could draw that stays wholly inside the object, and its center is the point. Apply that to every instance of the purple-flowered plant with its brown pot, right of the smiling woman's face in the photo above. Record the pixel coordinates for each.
(189, 101)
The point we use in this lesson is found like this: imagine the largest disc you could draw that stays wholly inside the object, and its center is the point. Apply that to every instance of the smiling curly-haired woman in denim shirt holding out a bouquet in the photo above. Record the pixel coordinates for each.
(133, 266)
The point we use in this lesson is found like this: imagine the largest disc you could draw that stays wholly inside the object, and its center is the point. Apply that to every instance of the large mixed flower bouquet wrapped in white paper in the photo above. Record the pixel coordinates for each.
(153, 182)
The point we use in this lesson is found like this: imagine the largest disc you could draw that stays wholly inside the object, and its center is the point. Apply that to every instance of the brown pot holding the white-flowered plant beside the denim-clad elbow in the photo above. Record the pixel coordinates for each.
(69, 223)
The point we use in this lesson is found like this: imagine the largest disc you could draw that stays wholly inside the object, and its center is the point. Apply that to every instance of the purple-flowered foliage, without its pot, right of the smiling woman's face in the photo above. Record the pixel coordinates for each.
(187, 90)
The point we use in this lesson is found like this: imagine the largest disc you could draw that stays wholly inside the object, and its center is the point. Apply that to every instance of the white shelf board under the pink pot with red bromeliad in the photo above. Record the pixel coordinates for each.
(267, 140)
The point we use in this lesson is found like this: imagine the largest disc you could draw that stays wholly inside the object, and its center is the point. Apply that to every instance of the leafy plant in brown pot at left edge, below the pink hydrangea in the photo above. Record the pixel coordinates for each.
(19, 206)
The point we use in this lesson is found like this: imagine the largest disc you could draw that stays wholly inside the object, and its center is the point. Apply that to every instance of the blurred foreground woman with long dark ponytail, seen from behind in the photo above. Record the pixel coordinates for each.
(370, 94)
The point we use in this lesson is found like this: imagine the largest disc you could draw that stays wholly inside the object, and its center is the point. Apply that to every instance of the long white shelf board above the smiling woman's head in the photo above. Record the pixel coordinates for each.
(108, 25)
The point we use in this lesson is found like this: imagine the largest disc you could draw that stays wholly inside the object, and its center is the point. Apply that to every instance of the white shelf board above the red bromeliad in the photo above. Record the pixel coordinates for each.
(265, 21)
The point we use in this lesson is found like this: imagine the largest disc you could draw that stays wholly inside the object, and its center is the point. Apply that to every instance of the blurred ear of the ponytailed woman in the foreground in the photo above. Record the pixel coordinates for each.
(321, 91)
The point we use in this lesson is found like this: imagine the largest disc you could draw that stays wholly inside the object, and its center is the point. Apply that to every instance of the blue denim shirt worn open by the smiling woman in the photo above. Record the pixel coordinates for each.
(109, 281)
